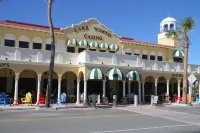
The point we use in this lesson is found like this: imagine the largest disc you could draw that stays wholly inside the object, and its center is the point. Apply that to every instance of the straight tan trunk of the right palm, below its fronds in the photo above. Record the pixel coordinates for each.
(185, 75)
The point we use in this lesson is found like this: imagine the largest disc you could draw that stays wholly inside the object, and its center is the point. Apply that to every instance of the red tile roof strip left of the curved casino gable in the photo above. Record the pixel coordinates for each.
(27, 25)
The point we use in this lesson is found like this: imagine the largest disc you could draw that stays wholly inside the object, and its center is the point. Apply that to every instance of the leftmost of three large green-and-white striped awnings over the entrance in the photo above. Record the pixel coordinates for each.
(95, 74)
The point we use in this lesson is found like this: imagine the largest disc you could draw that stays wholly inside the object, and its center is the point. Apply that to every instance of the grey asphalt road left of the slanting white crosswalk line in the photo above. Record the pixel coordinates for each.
(89, 121)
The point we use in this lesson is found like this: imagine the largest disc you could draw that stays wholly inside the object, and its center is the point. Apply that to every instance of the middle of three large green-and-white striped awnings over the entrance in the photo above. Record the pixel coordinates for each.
(115, 74)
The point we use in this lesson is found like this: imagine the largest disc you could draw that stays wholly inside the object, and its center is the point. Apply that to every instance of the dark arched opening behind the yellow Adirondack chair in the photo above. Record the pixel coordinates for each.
(27, 83)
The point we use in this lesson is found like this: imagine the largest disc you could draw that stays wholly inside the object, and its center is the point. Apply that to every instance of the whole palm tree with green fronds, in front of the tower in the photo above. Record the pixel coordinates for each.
(186, 27)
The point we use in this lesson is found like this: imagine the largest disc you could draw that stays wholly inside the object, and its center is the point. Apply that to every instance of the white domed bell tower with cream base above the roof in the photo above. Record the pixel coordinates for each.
(167, 24)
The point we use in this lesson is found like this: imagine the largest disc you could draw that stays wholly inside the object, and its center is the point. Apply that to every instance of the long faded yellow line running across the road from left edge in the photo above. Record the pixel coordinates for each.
(63, 118)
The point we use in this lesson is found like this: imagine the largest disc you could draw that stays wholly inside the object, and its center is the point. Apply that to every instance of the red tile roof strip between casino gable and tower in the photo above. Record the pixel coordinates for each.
(124, 39)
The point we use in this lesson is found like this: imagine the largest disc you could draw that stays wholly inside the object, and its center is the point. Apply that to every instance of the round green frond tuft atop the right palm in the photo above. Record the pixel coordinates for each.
(187, 25)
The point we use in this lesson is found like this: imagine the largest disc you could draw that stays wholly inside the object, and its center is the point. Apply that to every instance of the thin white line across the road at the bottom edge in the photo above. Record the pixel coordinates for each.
(147, 128)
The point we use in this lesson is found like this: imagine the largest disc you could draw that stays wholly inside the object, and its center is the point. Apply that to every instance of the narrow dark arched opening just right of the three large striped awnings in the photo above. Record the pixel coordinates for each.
(149, 88)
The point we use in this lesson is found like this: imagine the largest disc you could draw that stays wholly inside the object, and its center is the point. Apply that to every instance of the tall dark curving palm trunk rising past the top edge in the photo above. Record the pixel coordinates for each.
(51, 67)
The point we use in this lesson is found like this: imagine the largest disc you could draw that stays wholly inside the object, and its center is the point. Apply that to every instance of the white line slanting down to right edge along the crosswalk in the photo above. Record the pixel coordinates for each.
(174, 119)
